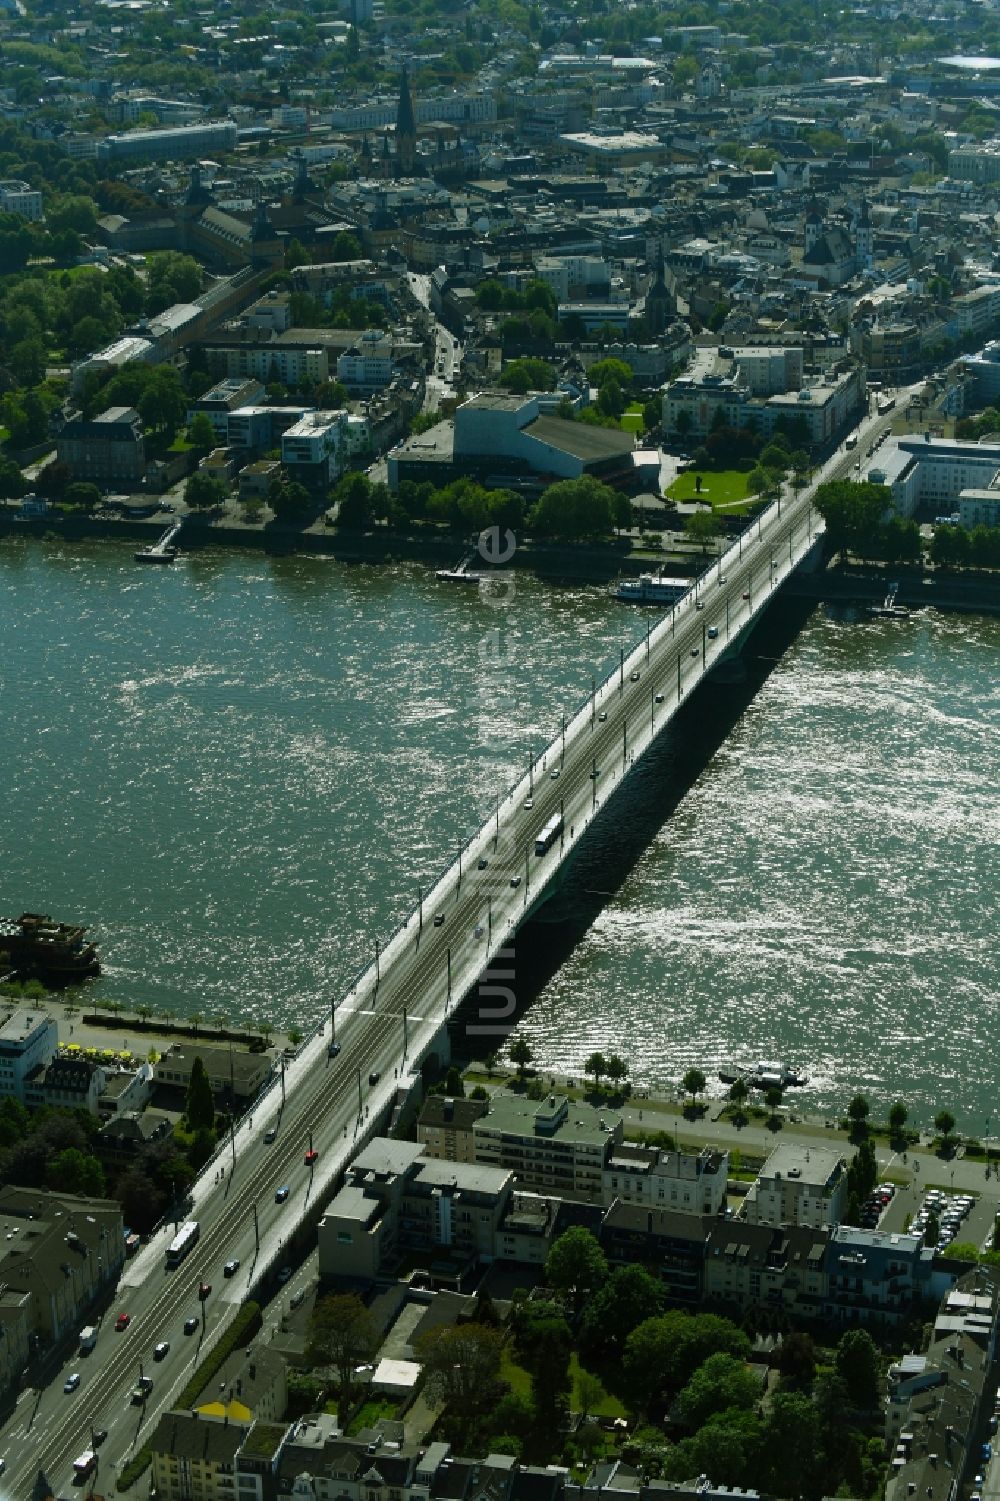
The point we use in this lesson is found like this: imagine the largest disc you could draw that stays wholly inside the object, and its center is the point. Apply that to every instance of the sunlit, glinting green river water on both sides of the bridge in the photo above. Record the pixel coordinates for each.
(241, 769)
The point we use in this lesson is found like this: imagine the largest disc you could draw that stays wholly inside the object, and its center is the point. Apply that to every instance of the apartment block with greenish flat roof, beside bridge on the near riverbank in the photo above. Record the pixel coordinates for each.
(556, 1145)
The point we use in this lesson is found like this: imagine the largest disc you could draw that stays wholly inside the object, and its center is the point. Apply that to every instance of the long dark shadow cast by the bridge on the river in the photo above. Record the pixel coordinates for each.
(624, 831)
